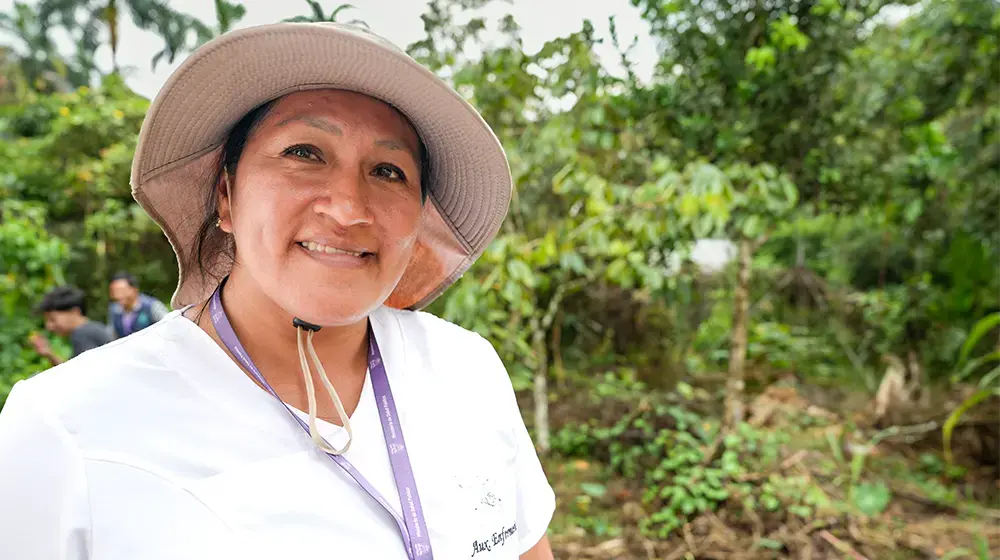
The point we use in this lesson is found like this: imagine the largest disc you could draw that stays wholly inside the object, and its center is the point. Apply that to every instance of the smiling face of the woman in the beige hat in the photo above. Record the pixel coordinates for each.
(326, 204)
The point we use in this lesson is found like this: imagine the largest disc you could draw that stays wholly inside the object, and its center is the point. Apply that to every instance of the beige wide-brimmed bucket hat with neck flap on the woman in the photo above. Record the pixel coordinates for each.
(177, 156)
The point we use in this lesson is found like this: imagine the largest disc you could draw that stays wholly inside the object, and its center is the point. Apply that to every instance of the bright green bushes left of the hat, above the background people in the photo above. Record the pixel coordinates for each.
(69, 216)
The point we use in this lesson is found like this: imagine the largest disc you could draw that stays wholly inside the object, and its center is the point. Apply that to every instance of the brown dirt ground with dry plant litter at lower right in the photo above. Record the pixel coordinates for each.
(932, 516)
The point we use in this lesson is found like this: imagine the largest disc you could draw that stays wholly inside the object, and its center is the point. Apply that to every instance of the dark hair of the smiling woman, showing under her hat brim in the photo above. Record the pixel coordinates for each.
(211, 241)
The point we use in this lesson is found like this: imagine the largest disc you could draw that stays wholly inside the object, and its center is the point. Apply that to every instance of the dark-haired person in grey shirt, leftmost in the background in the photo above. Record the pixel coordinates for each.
(65, 315)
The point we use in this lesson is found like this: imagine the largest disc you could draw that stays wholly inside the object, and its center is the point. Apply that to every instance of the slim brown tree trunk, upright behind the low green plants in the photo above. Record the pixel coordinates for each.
(738, 338)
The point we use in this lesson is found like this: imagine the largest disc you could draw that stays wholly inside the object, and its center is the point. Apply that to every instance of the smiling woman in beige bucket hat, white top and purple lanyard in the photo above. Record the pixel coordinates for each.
(317, 186)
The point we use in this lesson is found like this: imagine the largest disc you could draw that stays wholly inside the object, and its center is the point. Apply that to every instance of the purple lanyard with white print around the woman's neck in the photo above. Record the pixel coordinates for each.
(411, 525)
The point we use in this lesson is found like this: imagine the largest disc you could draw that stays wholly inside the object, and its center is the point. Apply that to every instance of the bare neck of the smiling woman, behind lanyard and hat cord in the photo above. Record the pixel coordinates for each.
(266, 331)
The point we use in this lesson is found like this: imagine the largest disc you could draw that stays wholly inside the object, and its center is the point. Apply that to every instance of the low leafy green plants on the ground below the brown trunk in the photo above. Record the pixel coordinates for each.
(688, 470)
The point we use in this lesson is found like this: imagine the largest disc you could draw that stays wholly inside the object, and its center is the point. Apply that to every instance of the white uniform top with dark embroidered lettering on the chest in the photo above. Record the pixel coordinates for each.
(158, 446)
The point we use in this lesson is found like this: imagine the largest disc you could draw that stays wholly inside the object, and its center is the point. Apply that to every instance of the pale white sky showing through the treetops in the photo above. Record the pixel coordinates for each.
(397, 20)
